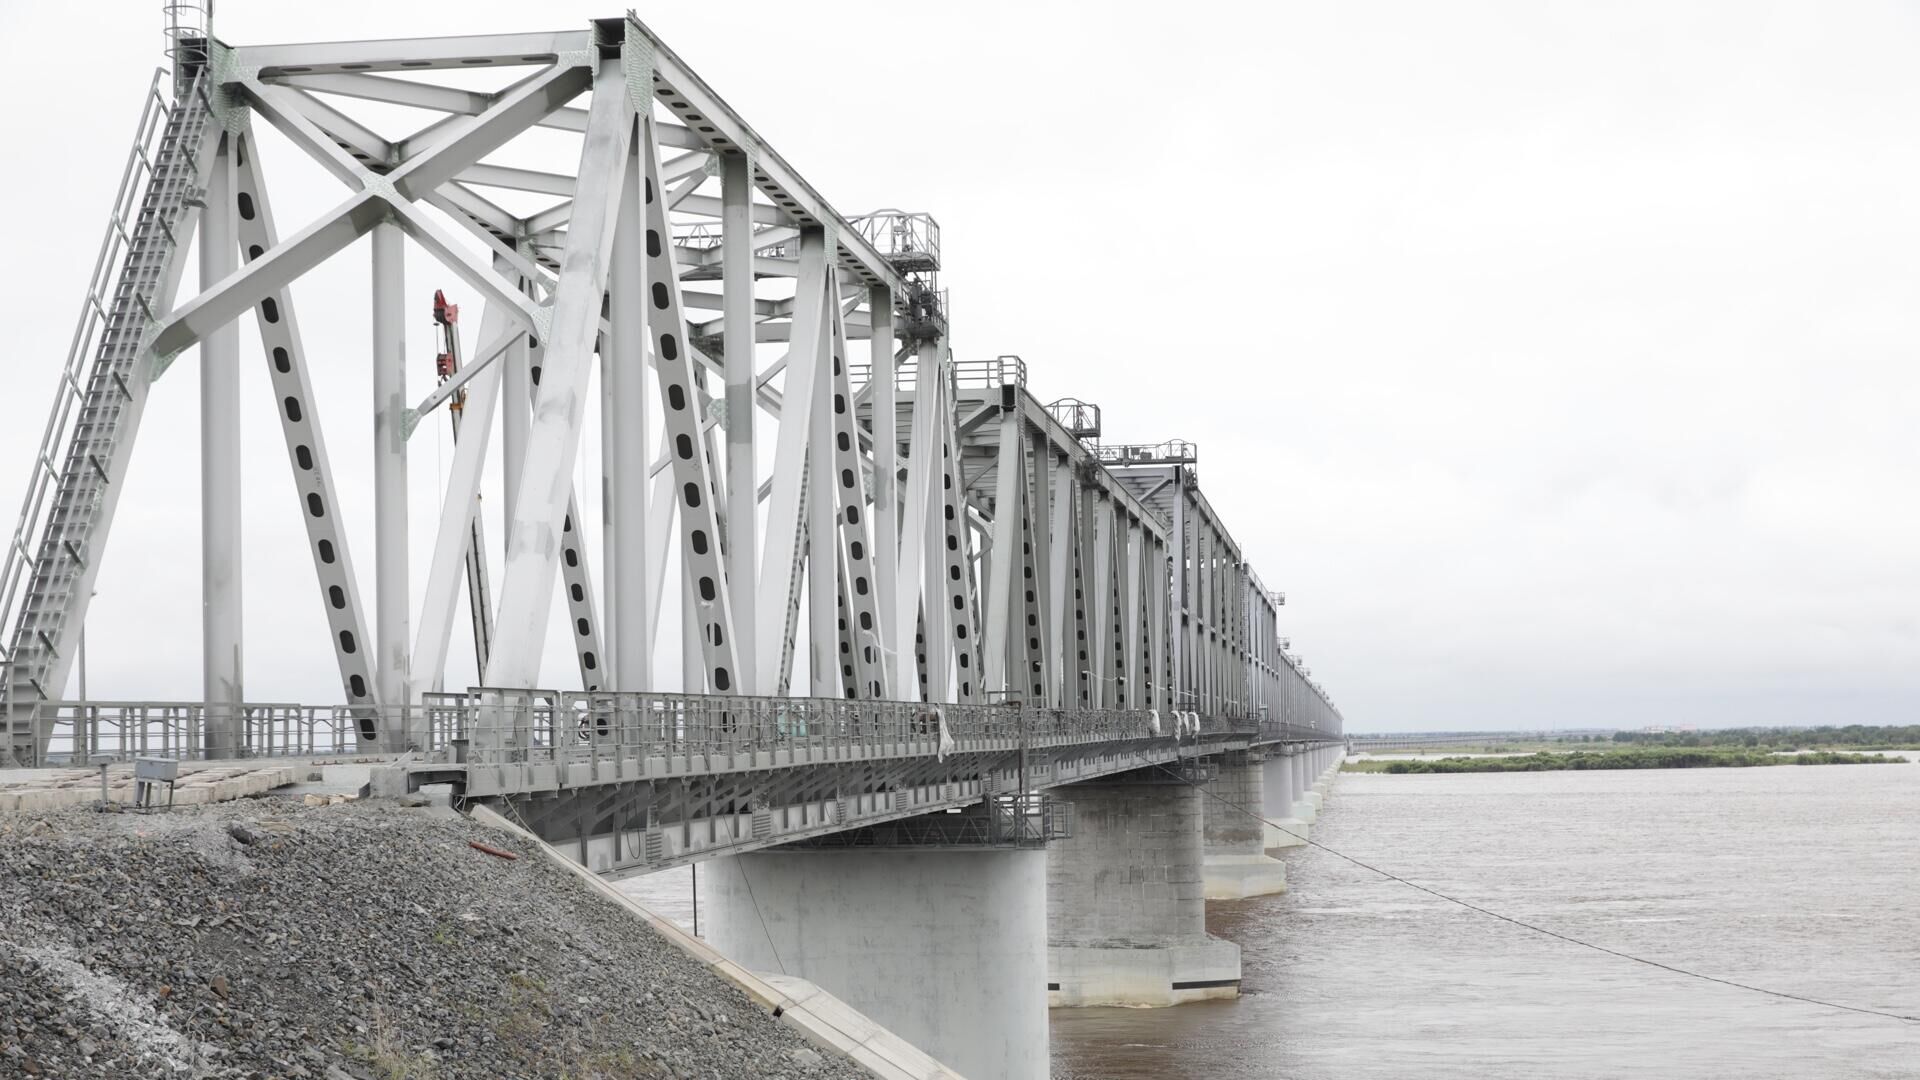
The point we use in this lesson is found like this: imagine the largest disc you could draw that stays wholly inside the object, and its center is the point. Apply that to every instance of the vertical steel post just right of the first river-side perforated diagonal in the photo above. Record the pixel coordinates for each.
(742, 481)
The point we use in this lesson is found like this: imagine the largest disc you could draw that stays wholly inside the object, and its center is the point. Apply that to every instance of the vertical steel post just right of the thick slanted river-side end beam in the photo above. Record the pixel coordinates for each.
(627, 489)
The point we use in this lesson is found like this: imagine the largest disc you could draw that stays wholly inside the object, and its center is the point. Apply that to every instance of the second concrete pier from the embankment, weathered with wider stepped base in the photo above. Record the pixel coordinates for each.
(1126, 908)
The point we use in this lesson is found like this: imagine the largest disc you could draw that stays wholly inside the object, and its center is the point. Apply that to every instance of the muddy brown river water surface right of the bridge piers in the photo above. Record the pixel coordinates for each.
(1798, 879)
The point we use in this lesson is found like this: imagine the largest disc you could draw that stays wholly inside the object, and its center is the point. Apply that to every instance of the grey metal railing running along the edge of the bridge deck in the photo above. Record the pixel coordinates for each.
(523, 727)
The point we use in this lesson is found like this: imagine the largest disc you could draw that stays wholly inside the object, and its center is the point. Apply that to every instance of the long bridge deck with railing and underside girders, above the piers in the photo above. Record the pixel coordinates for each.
(648, 781)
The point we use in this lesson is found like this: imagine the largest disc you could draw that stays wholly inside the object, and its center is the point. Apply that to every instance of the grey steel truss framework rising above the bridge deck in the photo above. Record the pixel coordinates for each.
(804, 491)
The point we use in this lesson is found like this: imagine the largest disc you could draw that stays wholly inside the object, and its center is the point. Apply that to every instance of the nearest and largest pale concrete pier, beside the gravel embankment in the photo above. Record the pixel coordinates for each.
(942, 945)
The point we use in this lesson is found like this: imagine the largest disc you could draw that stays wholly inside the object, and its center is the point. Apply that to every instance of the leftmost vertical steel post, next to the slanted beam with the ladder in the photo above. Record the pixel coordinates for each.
(220, 474)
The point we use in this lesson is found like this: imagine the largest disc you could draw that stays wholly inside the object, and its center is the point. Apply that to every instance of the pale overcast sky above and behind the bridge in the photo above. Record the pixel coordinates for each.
(1558, 360)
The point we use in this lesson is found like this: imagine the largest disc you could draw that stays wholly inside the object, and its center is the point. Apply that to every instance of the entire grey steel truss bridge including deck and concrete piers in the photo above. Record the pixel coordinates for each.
(946, 660)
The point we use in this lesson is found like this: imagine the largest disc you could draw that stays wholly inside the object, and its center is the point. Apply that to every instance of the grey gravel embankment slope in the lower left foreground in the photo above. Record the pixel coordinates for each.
(370, 943)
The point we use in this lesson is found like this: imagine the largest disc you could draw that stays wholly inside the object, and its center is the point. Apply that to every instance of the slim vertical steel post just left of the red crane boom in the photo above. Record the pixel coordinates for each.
(391, 474)
